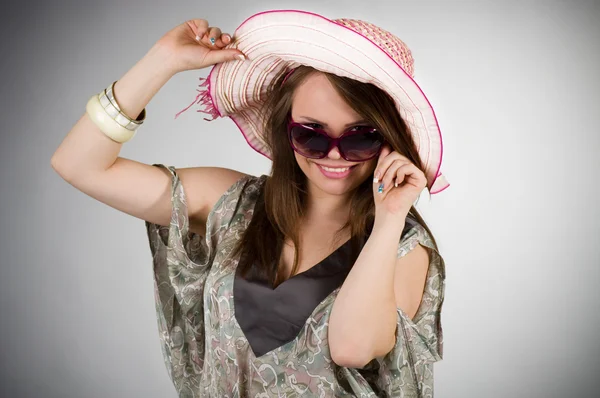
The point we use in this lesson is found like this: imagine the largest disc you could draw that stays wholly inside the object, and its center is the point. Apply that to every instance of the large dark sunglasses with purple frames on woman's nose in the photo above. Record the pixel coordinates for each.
(358, 144)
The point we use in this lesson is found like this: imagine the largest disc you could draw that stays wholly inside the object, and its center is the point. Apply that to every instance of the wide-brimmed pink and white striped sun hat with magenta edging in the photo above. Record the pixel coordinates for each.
(278, 41)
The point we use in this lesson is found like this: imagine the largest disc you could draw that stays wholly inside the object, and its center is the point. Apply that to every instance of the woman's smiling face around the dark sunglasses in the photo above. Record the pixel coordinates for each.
(318, 104)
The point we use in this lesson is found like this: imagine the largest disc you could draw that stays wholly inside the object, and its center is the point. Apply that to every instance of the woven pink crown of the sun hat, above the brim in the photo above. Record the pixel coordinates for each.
(390, 44)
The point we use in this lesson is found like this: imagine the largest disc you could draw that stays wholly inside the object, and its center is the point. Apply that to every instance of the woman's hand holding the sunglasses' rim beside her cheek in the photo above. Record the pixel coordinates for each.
(402, 182)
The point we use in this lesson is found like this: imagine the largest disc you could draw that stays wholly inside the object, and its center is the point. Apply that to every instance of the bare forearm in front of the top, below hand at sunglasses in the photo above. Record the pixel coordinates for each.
(363, 317)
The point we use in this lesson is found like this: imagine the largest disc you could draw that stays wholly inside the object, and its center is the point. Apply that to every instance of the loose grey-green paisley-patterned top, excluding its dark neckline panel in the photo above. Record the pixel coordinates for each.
(205, 350)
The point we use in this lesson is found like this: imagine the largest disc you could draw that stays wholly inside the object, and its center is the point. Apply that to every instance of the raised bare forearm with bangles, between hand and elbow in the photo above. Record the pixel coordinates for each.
(86, 149)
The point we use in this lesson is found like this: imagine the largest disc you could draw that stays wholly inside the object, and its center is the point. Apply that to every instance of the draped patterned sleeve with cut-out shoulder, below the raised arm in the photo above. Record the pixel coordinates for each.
(181, 262)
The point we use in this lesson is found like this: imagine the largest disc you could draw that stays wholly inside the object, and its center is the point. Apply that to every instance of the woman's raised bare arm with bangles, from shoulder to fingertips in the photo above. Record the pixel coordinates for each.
(88, 159)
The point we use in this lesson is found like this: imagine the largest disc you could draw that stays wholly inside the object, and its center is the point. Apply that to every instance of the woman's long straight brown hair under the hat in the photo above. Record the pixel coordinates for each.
(281, 204)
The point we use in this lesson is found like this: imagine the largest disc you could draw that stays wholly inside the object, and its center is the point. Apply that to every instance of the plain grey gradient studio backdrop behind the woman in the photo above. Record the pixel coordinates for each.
(515, 86)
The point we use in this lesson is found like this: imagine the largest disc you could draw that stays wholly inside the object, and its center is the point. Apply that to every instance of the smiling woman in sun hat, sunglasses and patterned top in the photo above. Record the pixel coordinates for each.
(320, 279)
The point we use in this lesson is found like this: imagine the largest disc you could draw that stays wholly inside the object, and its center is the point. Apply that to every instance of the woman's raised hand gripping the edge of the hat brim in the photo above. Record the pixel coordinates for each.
(187, 53)
